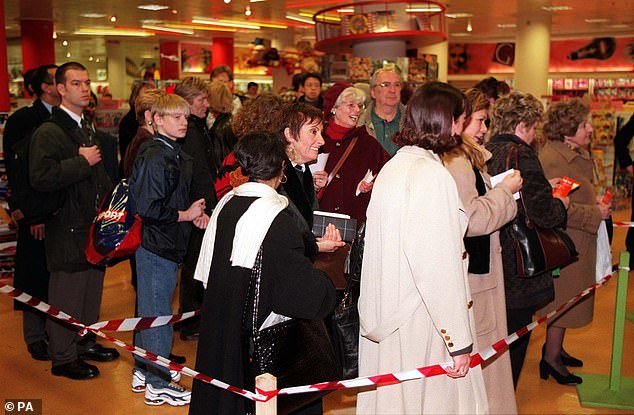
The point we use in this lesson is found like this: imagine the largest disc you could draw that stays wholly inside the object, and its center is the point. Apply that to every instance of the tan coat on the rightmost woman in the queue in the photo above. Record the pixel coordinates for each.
(584, 218)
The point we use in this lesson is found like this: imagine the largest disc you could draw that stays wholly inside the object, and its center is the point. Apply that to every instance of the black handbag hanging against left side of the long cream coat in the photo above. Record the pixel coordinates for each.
(345, 319)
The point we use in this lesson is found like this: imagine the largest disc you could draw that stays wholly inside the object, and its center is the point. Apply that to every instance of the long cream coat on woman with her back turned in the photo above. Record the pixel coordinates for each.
(415, 306)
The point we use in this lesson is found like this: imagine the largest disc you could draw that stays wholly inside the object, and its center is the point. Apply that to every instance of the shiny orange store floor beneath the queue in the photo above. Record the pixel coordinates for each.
(110, 394)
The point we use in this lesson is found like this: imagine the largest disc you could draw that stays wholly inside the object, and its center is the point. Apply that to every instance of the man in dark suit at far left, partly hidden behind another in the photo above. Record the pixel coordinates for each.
(31, 274)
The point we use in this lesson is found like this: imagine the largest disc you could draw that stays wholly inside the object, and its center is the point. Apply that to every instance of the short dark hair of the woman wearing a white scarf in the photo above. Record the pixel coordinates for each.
(261, 155)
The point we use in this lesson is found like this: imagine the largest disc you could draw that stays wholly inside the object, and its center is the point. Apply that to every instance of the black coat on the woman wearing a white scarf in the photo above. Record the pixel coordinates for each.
(289, 286)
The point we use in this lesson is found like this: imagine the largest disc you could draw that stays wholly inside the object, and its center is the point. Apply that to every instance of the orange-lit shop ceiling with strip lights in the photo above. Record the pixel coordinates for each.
(490, 20)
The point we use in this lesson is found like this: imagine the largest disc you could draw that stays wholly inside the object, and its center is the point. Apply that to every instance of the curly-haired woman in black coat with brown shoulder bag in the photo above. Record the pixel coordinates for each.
(514, 120)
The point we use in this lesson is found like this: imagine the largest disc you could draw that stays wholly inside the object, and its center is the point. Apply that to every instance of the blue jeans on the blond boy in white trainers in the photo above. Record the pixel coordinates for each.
(156, 282)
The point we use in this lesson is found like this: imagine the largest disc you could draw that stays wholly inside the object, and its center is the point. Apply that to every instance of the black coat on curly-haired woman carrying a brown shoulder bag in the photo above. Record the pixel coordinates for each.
(544, 210)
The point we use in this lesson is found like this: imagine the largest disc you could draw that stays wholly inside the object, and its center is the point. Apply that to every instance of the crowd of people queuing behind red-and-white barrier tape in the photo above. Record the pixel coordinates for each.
(227, 189)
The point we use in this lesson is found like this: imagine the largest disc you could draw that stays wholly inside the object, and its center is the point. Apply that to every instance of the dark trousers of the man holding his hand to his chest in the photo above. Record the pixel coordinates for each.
(77, 294)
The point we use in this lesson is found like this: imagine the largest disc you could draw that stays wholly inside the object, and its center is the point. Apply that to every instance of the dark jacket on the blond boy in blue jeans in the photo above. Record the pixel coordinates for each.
(159, 188)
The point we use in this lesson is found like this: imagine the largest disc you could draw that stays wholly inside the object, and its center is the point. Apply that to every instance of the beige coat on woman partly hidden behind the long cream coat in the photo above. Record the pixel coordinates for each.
(486, 216)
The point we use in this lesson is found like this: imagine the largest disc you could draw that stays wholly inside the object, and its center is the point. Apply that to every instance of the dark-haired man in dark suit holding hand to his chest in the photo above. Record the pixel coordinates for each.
(65, 157)
